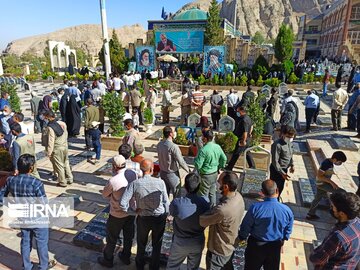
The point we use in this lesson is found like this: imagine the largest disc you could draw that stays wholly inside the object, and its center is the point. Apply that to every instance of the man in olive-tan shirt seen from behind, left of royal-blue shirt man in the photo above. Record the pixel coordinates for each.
(224, 221)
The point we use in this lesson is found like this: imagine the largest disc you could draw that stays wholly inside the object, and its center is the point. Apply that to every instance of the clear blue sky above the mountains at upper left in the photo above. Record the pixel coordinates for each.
(23, 18)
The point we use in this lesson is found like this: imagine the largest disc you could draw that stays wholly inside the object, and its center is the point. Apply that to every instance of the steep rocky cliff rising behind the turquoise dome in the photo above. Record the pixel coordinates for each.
(265, 16)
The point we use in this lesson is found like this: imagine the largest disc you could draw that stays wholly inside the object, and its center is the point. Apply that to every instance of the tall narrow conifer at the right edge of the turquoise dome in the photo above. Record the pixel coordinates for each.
(213, 33)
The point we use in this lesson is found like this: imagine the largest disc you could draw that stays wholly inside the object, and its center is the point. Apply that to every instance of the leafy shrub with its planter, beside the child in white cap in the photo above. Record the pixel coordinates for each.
(114, 110)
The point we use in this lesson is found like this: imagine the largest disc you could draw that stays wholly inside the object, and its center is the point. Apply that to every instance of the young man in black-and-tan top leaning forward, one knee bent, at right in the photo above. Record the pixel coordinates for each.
(324, 184)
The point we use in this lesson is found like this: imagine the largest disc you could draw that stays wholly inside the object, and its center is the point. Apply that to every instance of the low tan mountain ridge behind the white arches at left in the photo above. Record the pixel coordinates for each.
(87, 36)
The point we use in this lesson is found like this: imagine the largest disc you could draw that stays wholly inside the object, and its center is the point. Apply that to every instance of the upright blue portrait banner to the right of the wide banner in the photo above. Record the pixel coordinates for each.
(214, 59)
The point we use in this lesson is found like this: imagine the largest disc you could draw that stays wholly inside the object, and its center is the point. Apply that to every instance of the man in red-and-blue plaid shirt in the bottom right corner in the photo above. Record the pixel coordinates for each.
(341, 248)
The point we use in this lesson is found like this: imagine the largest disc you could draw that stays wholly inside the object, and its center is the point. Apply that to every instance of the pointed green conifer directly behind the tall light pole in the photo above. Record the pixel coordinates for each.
(119, 62)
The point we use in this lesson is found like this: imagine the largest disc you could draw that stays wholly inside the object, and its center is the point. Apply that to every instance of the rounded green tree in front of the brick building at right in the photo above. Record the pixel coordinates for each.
(284, 43)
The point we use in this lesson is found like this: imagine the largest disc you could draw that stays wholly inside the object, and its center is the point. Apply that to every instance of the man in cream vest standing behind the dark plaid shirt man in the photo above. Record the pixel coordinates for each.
(22, 144)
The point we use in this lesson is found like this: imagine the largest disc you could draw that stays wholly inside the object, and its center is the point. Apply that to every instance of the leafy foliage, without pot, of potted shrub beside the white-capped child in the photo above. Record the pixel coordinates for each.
(114, 109)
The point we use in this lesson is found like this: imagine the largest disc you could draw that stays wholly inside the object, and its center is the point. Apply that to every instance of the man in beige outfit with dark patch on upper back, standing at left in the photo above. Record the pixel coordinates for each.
(57, 149)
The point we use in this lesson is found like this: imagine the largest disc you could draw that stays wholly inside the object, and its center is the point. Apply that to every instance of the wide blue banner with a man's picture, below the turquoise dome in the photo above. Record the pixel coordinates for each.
(179, 41)
